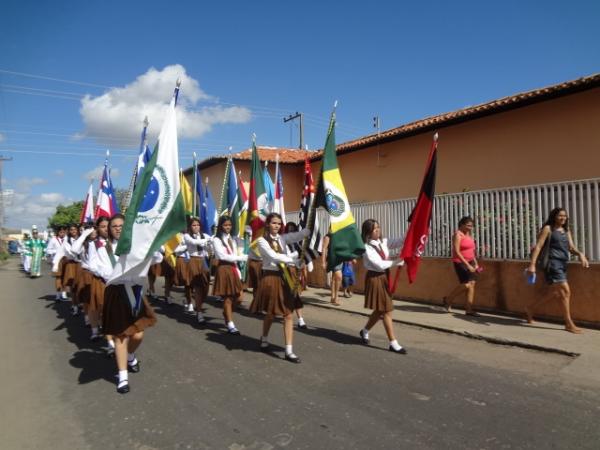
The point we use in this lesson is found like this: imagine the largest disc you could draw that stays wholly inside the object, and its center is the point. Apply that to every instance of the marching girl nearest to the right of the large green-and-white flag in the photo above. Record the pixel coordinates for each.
(197, 281)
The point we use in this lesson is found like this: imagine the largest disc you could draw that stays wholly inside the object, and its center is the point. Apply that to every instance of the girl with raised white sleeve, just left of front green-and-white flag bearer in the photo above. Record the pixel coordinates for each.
(84, 248)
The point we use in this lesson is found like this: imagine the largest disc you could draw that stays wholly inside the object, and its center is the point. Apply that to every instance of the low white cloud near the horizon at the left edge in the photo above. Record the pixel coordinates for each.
(25, 210)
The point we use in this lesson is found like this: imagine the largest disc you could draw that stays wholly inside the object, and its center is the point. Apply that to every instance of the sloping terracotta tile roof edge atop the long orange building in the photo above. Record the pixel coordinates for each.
(470, 113)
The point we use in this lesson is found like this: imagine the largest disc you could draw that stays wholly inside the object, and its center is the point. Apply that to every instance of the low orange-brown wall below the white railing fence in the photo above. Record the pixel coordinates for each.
(501, 287)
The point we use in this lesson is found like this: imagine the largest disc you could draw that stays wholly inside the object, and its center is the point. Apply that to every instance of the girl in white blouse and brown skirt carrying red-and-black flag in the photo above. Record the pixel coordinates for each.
(377, 297)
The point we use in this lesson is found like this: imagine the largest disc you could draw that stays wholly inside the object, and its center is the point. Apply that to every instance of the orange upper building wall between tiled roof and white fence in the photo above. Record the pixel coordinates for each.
(555, 140)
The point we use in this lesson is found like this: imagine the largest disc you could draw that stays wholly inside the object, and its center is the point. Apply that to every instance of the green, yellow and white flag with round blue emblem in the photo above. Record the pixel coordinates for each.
(345, 242)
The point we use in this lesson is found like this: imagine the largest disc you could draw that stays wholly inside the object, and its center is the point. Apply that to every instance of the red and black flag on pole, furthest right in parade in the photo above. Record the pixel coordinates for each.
(420, 218)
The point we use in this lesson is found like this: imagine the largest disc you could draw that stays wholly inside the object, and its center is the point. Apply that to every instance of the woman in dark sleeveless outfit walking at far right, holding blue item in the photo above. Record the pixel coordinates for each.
(556, 229)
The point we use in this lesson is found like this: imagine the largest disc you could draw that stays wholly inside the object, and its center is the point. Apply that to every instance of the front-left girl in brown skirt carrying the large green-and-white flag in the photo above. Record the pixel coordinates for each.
(126, 313)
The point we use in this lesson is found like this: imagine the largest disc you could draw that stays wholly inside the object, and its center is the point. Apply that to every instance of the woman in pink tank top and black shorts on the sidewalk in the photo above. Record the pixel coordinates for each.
(465, 265)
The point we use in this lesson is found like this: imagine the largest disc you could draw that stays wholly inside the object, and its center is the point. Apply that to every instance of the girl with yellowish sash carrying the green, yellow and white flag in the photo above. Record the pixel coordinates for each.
(277, 295)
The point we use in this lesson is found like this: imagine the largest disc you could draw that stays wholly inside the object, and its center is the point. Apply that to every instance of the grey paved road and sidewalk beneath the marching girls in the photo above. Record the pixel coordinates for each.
(200, 388)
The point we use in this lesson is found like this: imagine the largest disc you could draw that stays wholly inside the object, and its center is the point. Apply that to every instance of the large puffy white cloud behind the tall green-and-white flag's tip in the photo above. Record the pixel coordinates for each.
(119, 112)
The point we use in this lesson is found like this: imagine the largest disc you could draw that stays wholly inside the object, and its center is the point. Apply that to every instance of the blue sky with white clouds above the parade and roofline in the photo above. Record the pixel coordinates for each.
(246, 65)
